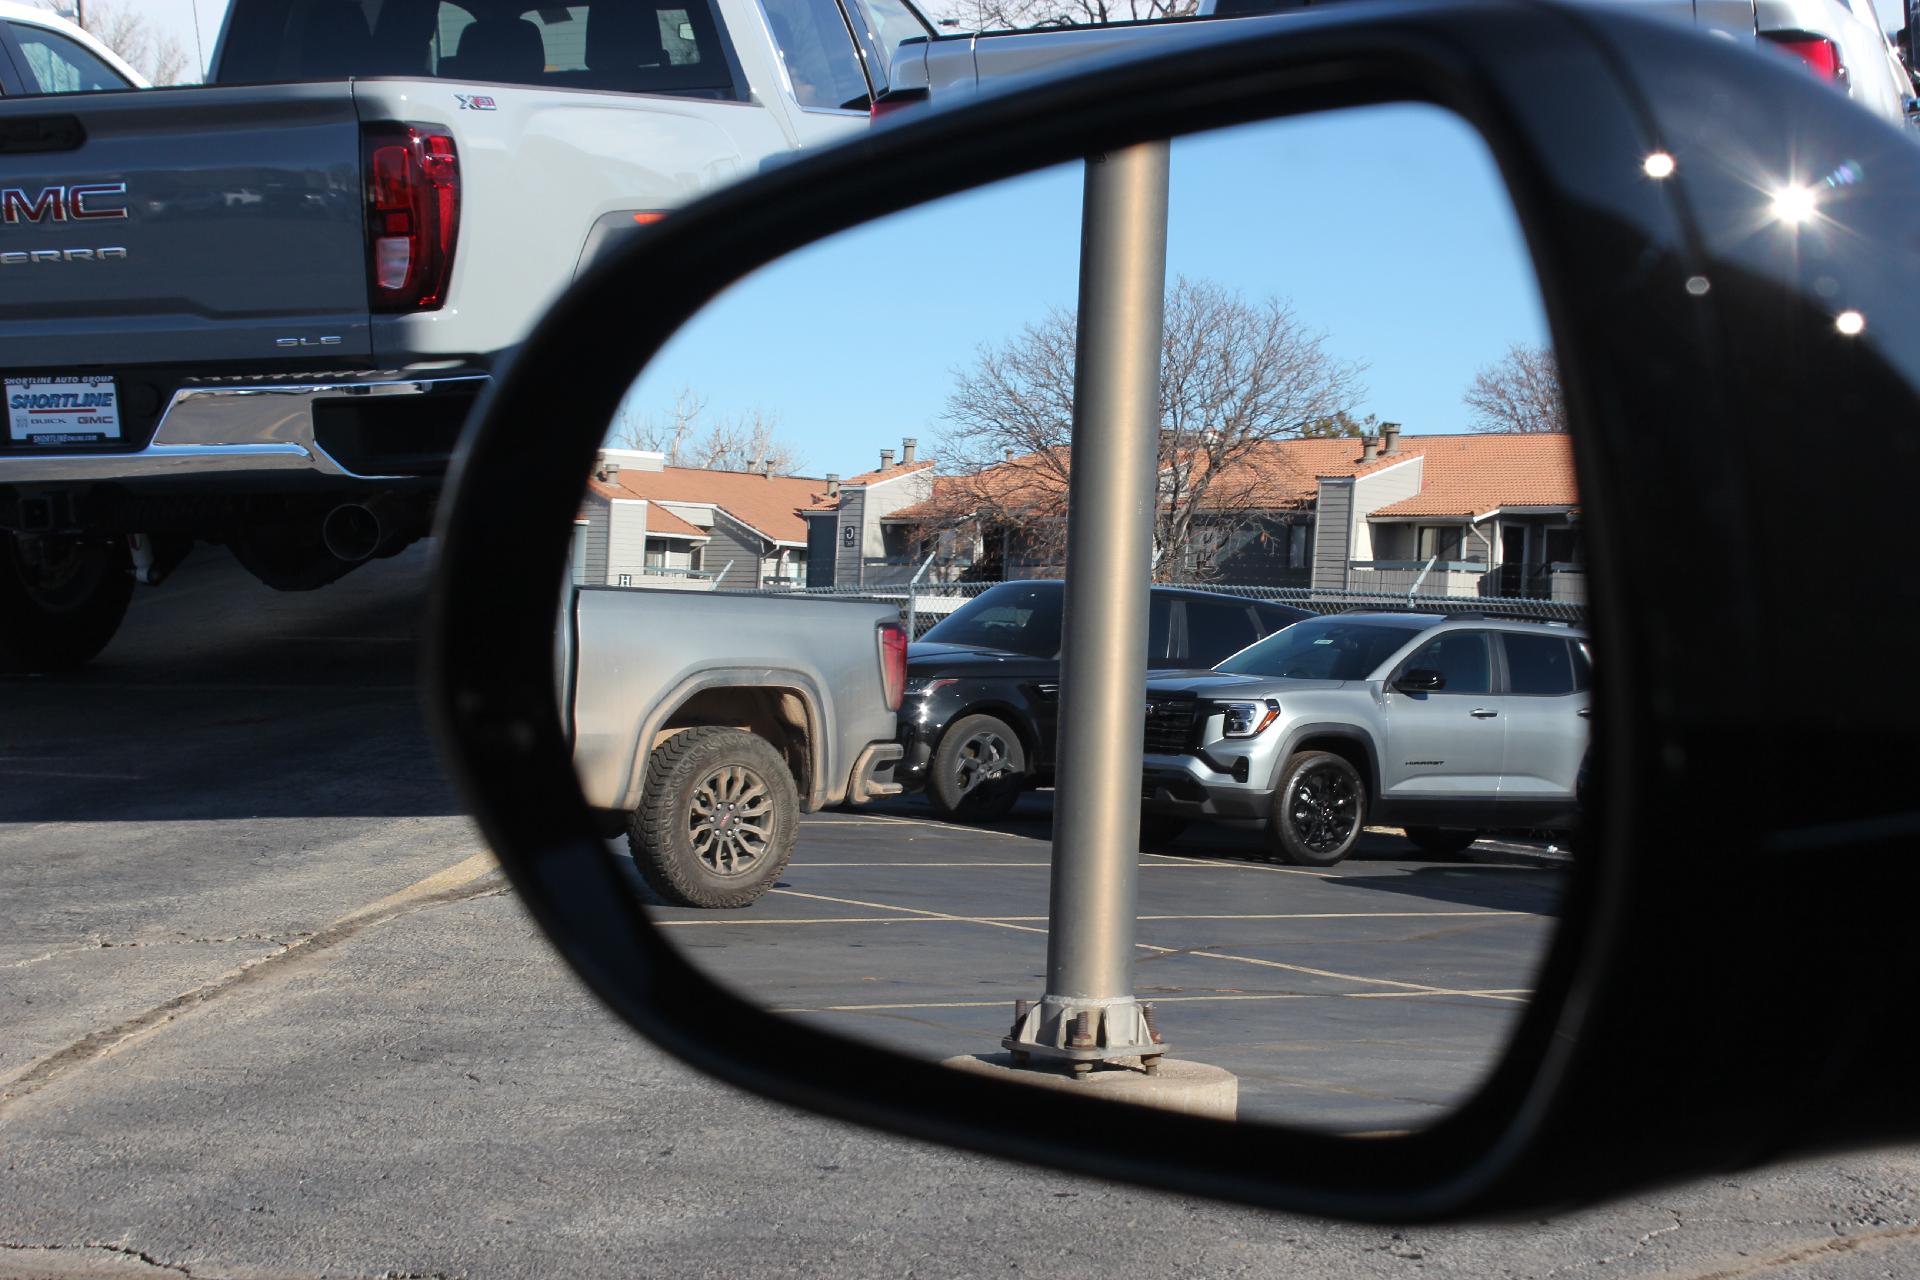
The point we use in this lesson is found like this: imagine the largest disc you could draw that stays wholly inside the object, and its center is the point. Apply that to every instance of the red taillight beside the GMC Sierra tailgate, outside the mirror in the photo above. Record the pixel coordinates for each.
(414, 216)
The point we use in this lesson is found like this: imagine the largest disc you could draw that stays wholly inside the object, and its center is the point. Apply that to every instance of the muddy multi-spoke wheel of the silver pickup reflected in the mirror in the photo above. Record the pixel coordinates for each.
(717, 820)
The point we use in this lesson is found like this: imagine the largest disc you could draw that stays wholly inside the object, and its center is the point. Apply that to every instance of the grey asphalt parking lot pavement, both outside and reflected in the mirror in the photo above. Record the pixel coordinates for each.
(270, 1012)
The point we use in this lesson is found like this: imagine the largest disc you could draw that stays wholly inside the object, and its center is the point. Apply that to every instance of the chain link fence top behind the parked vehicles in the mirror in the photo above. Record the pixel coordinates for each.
(924, 604)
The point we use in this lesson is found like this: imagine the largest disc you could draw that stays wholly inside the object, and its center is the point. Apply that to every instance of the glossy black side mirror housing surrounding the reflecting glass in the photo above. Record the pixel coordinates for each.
(1721, 270)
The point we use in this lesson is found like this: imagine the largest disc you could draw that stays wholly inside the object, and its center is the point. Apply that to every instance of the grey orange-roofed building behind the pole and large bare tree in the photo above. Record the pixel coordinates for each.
(1458, 515)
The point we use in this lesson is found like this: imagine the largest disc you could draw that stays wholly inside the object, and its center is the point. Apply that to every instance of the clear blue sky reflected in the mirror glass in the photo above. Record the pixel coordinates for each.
(1385, 227)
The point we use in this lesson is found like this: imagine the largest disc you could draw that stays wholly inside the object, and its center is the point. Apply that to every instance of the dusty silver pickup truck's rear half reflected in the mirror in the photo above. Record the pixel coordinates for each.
(706, 724)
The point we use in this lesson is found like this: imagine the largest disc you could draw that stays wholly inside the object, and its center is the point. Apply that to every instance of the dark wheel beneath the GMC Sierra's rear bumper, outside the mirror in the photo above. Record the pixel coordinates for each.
(60, 602)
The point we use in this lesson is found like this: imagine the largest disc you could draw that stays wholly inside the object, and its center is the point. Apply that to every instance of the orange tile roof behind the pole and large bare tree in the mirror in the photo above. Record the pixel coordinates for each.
(1462, 477)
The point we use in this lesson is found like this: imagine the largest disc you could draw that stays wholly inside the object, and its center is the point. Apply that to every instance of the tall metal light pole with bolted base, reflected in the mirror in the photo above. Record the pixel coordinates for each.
(1090, 1014)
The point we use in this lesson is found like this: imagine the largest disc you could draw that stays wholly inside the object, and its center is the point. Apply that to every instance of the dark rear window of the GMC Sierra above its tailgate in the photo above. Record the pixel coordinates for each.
(640, 47)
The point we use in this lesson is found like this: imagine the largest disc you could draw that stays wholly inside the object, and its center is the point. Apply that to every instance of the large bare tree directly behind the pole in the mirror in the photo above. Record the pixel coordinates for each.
(1234, 379)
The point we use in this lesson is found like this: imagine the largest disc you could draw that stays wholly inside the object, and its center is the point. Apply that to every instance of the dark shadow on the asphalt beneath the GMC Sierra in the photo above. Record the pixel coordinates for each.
(224, 699)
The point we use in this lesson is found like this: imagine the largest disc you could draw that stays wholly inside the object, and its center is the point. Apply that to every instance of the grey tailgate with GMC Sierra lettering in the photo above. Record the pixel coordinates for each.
(201, 227)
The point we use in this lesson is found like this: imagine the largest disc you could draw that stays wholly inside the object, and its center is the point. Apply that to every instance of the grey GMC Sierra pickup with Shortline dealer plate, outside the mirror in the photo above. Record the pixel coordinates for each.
(258, 312)
